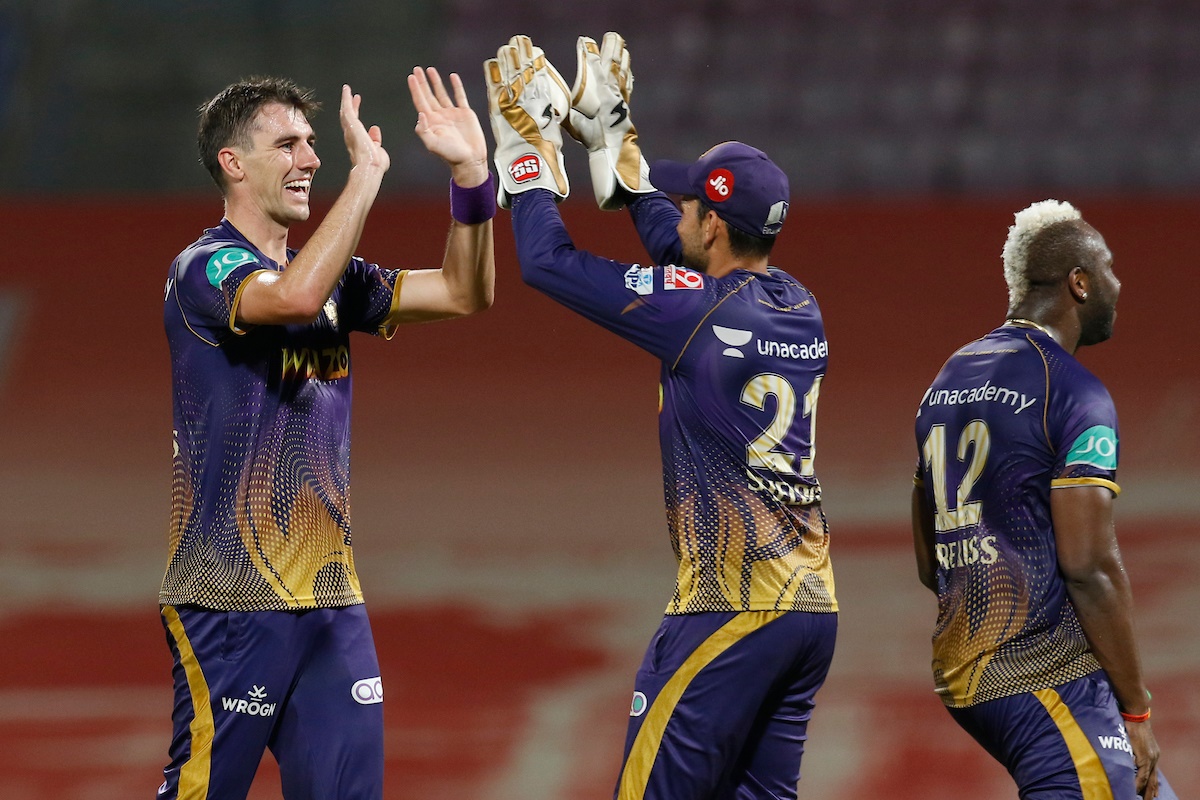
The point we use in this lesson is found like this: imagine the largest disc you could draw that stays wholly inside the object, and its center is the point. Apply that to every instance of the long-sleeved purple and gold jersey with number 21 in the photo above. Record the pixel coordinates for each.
(743, 358)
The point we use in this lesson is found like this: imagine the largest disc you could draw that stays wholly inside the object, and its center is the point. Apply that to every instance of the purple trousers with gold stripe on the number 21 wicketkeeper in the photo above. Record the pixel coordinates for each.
(722, 706)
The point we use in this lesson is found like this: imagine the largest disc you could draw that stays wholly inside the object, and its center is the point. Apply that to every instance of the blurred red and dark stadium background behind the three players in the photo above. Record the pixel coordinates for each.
(507, 488)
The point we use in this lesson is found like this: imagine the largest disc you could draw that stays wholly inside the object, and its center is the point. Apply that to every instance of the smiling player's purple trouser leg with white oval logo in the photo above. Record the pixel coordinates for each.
(329, 742)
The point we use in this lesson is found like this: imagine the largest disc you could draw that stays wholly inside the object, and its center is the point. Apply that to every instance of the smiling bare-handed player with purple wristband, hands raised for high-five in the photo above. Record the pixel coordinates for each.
(261, 600)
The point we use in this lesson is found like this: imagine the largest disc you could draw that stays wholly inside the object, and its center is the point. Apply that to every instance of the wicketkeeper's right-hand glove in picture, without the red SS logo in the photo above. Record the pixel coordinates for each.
(601, 119)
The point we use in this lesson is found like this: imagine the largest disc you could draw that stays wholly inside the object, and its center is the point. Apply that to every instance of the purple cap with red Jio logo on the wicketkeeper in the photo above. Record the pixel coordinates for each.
(740, 183)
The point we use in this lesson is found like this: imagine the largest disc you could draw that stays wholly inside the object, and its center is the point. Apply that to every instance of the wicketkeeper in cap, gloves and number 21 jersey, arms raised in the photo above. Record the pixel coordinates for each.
(728, 687)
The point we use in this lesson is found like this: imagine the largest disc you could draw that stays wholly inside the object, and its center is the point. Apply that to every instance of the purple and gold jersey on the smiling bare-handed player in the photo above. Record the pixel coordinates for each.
(261, 515)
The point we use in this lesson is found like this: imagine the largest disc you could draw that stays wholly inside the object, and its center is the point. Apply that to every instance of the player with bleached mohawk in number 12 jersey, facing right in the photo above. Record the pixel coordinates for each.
(1018, 447)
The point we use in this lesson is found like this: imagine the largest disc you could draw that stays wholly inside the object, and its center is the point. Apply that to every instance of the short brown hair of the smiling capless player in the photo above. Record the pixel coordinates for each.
(227, 119)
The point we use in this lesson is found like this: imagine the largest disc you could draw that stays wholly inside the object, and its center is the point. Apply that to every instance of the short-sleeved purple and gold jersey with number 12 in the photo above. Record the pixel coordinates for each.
(1011, 418)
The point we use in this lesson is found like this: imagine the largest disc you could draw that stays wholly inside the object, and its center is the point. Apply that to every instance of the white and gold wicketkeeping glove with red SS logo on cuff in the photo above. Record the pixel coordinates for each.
(527, 103)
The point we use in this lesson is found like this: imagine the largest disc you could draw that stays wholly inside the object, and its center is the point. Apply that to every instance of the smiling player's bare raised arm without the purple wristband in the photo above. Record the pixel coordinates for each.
(298, 293)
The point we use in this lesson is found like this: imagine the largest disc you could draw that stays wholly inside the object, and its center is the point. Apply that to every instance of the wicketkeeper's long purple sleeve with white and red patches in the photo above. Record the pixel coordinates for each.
(656, 308)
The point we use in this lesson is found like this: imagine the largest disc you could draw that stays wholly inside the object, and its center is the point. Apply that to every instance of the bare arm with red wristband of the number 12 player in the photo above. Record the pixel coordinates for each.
(1099, 586)
